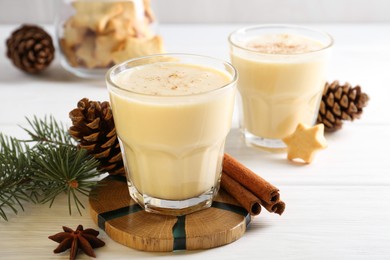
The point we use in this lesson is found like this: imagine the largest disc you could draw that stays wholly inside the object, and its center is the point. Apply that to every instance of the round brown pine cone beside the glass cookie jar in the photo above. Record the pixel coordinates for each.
(30, 48)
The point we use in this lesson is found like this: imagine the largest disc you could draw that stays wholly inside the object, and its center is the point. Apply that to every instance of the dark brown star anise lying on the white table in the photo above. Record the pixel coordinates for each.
(86, 240)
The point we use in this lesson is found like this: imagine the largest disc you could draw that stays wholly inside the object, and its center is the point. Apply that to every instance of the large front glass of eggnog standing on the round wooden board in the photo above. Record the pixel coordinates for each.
(172, 114)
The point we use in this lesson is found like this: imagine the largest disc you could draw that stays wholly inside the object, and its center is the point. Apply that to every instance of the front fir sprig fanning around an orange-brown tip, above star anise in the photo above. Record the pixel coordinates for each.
(64, 169)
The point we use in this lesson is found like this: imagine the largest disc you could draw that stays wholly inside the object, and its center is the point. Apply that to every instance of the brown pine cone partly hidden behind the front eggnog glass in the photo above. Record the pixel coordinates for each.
(94, 129)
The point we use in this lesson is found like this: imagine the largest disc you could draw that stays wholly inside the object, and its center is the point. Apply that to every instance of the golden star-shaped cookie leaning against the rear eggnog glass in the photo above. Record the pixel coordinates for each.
(304, 142)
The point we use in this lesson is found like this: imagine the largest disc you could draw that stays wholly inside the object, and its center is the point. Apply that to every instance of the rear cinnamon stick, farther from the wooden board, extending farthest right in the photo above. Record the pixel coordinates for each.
(267, 193)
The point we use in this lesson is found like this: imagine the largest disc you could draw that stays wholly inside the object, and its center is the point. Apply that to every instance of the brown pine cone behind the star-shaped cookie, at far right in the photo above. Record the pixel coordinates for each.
(340, 102)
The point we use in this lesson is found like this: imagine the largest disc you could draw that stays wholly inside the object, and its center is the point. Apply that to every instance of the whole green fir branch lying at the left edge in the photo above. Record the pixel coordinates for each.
(50, 166)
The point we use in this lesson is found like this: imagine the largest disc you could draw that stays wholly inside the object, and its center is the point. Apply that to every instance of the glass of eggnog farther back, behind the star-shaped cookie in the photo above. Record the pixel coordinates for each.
(282, 75)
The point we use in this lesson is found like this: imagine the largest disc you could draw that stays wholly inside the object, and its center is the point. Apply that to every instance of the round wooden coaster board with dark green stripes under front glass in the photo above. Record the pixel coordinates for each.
(127, 223)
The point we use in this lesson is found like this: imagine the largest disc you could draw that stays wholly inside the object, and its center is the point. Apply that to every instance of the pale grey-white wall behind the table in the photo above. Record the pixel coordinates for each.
(224, 11)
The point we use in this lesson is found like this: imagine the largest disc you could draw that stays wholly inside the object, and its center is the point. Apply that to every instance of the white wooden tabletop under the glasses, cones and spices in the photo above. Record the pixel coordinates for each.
(338, 207)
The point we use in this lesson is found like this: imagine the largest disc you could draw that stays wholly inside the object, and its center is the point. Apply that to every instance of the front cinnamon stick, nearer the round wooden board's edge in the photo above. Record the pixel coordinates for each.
(246, 198)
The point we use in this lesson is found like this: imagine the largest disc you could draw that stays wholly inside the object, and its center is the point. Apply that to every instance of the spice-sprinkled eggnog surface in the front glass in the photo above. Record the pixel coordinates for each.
(171, 79)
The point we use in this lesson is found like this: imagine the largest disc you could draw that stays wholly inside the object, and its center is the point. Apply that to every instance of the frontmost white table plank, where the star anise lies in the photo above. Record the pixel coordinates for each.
(320, 222)
